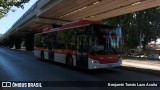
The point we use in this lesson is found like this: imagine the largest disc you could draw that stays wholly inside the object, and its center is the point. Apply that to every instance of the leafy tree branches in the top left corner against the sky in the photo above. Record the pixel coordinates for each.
(5, 5)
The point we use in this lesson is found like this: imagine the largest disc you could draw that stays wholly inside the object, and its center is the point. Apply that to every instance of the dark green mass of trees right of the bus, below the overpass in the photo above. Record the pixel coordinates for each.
(146, 22)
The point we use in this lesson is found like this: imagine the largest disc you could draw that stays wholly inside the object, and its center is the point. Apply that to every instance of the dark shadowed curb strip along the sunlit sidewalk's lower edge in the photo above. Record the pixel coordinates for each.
(142, 70)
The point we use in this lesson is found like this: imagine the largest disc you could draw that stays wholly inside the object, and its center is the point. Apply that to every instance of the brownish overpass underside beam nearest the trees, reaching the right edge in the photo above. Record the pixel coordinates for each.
(145, 5)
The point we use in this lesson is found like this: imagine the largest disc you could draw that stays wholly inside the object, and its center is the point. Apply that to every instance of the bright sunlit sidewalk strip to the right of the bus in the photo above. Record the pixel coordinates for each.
(152, 66)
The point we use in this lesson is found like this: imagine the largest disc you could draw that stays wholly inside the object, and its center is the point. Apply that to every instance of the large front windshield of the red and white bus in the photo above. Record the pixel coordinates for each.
(106, 41)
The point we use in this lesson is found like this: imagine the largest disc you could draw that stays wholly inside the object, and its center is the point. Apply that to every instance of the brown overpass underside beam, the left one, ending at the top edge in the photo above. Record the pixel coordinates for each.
(103, 6)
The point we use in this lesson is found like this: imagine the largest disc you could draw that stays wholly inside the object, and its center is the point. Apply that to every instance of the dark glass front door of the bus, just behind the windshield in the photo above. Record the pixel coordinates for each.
(82, 50)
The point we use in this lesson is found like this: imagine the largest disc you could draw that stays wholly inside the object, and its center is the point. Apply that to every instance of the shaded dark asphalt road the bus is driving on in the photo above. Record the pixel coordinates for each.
(16, 65)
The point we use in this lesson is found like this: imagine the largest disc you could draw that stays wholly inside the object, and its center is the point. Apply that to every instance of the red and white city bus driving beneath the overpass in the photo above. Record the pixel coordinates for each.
(85, 44)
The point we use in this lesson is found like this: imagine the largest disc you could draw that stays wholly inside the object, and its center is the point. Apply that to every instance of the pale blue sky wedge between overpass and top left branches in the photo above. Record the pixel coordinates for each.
(7, 21)
